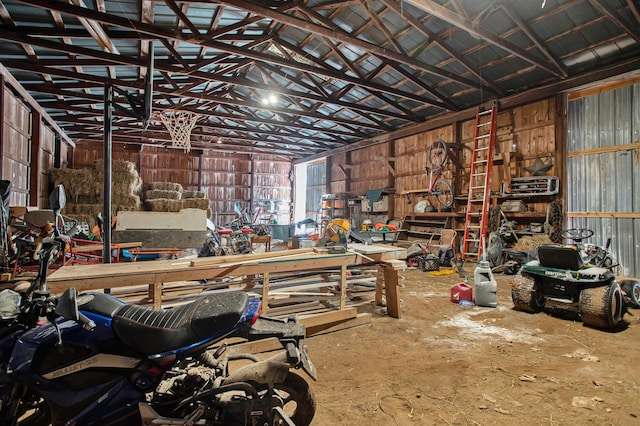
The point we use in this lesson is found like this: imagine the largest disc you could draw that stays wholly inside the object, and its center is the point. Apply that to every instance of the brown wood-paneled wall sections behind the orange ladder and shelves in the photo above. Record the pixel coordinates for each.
(524, 133)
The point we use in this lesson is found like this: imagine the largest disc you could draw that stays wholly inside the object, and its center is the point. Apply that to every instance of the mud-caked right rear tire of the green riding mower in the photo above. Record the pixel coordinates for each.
(602, 306)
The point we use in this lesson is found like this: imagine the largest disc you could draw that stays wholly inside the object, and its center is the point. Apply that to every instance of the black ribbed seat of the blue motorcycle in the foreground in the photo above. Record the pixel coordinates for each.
(153, 331)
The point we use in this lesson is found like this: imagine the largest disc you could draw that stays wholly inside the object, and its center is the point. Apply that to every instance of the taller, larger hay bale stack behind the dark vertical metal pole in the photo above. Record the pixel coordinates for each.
(84, 189)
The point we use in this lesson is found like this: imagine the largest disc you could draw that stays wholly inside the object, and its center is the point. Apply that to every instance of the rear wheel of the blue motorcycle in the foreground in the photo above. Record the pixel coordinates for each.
(298, 401)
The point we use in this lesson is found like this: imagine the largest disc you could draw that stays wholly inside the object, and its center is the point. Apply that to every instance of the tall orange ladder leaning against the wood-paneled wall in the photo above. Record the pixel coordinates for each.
(477, 212)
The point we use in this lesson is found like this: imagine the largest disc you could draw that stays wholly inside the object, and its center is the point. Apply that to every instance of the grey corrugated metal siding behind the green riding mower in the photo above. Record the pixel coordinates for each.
(607, 181)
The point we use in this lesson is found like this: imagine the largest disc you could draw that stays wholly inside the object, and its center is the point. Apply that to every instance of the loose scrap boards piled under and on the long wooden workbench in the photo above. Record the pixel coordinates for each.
(309, 293)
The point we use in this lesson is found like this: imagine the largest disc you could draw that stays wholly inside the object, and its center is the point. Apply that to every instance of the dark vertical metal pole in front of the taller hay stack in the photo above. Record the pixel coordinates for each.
(106, 190)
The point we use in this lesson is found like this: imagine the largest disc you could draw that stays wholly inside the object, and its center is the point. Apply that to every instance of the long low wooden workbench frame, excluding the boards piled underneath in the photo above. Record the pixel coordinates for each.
(158, 272)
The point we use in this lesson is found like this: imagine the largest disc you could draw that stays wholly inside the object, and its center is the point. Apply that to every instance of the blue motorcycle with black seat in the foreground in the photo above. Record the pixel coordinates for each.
(91, 359)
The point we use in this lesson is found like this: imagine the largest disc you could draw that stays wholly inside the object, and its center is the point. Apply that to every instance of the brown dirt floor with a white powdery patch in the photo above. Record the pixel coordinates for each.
(440, 364)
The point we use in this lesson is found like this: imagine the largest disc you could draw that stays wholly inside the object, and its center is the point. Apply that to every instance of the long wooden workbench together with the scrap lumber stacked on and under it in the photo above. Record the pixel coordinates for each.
(322, 287)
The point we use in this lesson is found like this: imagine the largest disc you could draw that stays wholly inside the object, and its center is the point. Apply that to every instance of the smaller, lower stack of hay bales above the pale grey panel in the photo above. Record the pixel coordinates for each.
(170, 197)
